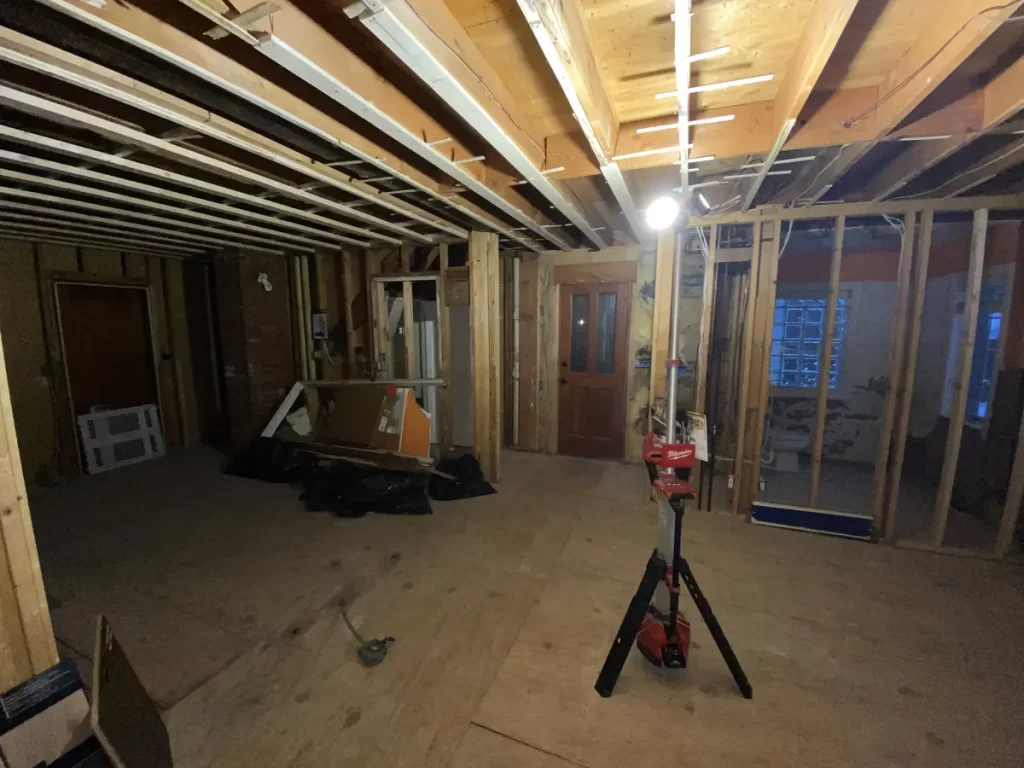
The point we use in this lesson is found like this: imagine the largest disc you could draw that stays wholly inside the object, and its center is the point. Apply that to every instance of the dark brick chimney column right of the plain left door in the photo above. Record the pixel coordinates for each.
(257, 339)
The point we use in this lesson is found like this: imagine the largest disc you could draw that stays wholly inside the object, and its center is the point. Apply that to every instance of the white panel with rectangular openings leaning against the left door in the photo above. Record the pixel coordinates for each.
(117, 439)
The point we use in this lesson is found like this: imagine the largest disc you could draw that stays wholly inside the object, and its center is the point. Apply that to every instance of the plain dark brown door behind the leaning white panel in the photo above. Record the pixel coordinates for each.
(108, 348)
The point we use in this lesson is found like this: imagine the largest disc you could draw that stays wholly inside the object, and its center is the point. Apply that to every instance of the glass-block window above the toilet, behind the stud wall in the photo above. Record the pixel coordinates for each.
(798, 331)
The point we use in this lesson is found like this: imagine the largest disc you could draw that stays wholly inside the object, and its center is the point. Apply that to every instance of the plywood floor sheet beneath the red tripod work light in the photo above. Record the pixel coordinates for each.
(851, 649)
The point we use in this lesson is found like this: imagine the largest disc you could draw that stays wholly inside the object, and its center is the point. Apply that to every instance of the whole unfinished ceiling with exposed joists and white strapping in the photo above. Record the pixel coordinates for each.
(305, 124)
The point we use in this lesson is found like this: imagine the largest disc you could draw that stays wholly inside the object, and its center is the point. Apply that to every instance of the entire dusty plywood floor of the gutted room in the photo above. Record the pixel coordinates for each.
(504, 609)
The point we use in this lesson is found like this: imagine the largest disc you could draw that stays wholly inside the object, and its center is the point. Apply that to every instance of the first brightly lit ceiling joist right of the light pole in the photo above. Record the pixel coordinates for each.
(818, 44)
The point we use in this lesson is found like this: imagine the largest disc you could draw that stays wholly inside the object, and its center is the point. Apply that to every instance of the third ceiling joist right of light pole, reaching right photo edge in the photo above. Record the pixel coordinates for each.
(1001, 100)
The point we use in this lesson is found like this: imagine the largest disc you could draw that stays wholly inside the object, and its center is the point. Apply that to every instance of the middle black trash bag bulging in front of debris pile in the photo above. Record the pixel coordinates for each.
(351, 491)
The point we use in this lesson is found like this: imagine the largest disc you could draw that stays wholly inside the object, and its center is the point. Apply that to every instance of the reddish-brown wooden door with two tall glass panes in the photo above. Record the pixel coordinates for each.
(592, 369)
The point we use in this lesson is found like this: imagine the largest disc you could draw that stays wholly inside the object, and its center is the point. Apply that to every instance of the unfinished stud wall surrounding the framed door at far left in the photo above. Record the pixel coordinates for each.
(32, 347)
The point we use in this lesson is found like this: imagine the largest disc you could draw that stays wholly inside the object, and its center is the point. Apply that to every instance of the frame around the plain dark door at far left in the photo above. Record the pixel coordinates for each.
(57, 353)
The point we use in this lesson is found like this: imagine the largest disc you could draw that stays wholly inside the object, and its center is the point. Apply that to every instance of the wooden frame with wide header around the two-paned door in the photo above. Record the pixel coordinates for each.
(586, 274)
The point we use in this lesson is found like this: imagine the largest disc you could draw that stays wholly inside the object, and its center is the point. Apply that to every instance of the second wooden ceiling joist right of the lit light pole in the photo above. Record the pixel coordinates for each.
(946, 42)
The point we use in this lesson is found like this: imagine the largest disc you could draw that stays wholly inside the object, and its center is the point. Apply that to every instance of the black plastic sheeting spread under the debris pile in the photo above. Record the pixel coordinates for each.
(352, 491)
